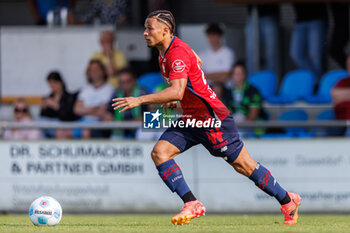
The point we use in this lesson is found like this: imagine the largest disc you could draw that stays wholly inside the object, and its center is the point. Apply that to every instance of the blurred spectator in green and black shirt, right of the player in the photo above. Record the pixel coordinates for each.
(244, 100)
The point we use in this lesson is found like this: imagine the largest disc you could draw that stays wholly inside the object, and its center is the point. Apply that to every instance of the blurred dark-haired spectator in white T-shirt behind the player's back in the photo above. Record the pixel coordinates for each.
(218, 59)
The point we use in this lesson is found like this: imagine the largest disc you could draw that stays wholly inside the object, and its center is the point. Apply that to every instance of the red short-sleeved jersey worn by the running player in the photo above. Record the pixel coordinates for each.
(199, 100)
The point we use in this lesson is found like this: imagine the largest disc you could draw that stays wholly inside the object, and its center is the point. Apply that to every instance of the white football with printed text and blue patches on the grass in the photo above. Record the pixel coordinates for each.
(45, 211)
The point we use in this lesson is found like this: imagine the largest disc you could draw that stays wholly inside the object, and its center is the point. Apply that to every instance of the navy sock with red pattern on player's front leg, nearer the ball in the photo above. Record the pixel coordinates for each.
(172, 176)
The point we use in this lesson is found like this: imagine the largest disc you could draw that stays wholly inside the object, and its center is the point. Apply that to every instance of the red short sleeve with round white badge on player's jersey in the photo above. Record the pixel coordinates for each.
(179, 64)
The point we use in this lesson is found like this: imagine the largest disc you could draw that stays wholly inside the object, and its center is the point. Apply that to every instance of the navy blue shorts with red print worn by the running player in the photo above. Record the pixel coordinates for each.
(222, 142)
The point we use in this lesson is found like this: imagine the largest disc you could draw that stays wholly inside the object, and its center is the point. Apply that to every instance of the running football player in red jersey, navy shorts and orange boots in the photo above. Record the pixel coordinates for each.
(180, 66)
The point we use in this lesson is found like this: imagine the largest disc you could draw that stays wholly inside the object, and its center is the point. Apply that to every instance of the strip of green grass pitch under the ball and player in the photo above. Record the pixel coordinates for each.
(161, 223)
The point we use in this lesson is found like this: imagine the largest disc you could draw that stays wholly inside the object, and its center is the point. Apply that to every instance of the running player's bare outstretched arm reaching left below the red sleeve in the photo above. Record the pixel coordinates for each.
(174, 92)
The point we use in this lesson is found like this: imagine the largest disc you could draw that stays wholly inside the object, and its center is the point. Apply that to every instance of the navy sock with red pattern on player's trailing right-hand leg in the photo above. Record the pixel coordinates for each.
(267, 183)
